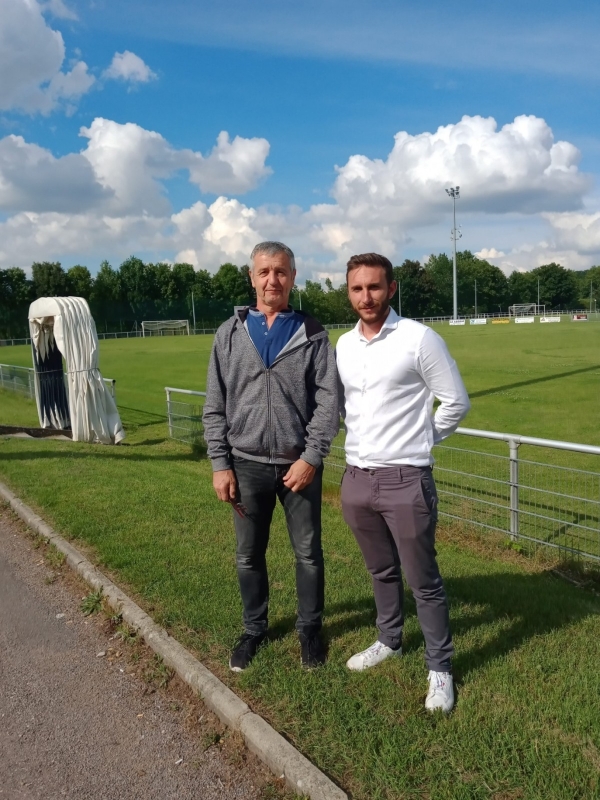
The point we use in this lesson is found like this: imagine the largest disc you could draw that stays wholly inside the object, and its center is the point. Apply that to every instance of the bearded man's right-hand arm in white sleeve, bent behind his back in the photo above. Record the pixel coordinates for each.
(441, 375)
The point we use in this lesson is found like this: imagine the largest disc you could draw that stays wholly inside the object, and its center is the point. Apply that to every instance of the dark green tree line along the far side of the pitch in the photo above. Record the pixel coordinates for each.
(121, 298)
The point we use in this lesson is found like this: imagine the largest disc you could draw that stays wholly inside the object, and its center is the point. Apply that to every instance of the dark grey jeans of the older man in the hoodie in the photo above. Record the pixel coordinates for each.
(259, 486)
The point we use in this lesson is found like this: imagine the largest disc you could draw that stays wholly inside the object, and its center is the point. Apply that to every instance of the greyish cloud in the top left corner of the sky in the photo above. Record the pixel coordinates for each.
(31, 60)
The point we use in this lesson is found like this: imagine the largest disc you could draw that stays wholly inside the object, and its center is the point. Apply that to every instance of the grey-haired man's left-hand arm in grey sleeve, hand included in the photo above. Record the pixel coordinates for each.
(214, 420)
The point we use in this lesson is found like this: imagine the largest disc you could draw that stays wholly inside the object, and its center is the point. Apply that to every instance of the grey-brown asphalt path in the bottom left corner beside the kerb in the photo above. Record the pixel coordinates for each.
(76, 720)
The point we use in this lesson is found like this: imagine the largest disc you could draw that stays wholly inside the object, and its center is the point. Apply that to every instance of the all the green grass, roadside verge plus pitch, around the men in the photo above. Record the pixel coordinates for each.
(527, 720)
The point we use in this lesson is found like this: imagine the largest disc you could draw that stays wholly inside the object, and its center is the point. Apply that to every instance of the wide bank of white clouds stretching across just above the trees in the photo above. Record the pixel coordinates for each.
(111, 199)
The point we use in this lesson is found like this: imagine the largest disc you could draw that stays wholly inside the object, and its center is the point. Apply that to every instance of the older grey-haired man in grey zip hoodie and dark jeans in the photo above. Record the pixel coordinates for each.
(270, 415)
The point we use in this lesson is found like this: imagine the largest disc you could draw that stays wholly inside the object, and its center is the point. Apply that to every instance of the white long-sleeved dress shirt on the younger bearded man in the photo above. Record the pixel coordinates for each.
(390, 383)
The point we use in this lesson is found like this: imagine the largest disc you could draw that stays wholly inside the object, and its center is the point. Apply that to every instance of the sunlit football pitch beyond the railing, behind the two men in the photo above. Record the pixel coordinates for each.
(534, 380)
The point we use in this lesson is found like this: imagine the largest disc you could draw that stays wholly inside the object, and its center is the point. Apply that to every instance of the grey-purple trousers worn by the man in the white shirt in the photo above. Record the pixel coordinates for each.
(392, 513)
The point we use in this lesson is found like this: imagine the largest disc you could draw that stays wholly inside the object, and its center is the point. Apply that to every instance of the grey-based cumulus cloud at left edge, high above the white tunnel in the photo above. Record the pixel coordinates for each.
(119, 172)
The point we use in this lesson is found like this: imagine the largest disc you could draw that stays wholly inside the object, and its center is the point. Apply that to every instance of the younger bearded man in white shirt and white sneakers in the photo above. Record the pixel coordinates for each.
(391, 369)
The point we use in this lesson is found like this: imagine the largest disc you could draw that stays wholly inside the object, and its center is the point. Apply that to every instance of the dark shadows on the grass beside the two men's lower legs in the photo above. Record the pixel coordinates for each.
(526, 605)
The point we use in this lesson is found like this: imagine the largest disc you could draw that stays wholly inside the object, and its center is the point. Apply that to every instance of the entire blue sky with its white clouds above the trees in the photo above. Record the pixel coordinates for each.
(306, 86)
